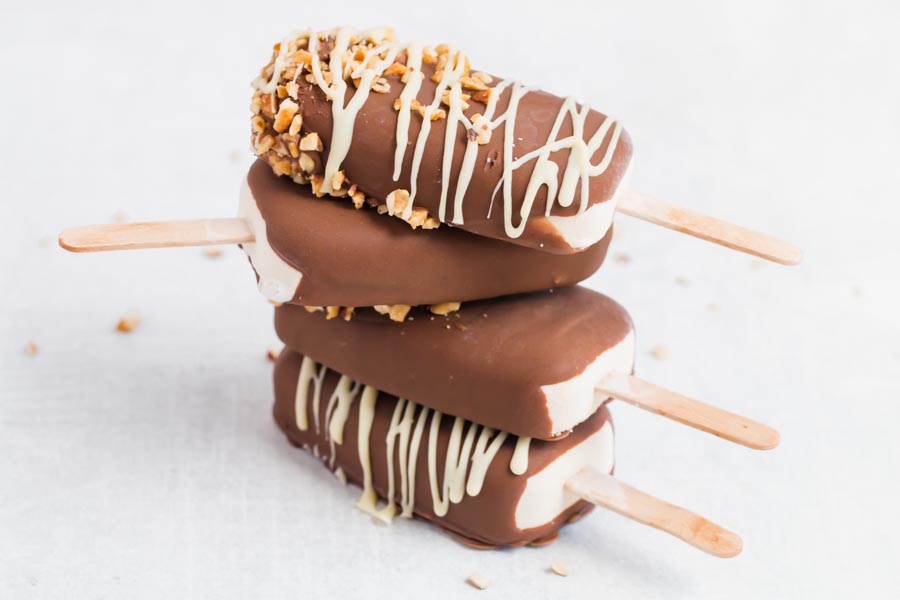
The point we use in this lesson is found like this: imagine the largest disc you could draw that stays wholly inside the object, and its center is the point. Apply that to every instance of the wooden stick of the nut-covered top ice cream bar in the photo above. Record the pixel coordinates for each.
(648, 208)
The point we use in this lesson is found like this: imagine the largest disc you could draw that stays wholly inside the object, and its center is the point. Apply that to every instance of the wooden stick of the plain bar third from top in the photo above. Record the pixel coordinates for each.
(688, 411)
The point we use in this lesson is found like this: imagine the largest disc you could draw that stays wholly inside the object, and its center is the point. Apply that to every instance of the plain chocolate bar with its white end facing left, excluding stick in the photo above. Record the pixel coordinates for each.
(323, 252)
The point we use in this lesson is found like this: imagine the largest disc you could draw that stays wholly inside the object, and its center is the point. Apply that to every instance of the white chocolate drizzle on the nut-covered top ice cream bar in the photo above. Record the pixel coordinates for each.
(381, 54)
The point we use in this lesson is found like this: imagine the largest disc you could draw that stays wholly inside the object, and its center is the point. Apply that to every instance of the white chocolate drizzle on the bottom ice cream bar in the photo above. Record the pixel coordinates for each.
(470, 450)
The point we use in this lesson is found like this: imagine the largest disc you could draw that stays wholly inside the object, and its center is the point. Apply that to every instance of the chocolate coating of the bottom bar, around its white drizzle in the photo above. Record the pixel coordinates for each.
(485, 520)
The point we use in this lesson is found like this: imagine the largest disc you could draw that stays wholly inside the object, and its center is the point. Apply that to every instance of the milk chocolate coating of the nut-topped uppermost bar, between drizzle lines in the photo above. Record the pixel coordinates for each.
(370, 161)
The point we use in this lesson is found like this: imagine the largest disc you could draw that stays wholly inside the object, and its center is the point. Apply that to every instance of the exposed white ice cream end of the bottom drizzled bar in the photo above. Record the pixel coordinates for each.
(545, 496)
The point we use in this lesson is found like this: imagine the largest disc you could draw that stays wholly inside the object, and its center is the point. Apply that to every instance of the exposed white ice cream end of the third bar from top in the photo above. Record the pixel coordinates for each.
(571, 402)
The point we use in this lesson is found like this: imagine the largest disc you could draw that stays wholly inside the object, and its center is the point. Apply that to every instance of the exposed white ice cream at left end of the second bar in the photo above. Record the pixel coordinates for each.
(278, 280)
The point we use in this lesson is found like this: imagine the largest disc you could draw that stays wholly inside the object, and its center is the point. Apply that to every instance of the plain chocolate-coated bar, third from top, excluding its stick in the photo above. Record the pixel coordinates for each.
(525, 364)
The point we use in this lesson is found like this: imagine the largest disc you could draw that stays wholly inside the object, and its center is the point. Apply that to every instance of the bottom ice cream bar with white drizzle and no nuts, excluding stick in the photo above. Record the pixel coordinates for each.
(481, 484)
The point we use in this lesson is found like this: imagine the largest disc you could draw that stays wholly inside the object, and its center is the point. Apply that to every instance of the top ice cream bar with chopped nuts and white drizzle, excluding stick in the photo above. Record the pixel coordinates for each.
(434, 141)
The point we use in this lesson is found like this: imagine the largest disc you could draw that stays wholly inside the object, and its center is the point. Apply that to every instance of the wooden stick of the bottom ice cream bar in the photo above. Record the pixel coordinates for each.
(607, 491)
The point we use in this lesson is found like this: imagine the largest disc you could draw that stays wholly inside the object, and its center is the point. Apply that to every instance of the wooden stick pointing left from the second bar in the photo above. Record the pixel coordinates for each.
(159, 234)
